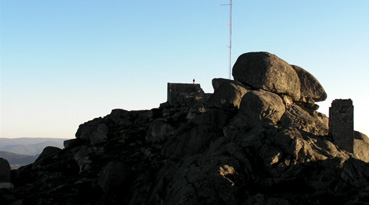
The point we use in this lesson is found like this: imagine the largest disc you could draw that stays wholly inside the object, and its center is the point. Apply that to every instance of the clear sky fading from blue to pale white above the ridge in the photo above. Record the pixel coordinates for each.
(67, 62)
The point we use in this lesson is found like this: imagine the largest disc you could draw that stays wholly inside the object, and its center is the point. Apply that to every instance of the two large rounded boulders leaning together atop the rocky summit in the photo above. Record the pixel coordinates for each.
(262, 70)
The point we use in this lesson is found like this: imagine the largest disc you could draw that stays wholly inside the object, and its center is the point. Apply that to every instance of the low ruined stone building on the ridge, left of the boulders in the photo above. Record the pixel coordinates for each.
(175, 89)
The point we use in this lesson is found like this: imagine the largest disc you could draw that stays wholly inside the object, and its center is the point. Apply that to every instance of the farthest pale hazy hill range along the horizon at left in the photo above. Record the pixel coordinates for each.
(29, 146)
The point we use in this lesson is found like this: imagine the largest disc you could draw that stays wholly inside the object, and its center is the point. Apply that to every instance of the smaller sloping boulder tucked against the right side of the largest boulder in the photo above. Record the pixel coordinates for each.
(310, 87)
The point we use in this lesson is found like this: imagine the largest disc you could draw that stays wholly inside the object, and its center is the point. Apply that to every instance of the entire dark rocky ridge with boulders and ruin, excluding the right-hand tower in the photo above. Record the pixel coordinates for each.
(257, 139)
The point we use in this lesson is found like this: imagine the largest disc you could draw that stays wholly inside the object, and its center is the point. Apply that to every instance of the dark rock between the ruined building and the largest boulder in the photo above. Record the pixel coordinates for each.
(227, 94)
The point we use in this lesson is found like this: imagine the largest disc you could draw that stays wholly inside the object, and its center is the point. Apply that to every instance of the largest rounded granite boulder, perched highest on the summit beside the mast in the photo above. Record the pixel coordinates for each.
(263, 70)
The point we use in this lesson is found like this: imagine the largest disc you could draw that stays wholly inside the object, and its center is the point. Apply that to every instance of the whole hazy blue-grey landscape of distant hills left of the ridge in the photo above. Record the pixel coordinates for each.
(23, 151)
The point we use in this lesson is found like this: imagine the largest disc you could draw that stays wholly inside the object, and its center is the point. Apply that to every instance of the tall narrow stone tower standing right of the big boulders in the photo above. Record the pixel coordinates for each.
(341, 123)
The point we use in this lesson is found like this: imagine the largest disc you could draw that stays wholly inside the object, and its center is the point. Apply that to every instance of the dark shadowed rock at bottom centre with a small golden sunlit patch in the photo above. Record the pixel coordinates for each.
(195, 187)
